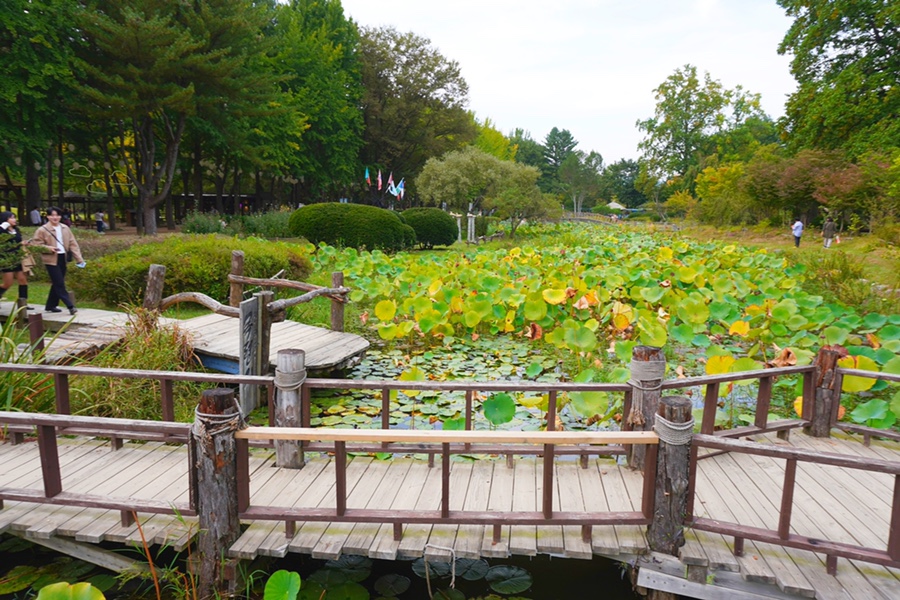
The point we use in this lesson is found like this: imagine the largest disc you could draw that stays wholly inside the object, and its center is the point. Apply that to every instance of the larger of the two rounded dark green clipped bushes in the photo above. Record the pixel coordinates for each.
(352, 225)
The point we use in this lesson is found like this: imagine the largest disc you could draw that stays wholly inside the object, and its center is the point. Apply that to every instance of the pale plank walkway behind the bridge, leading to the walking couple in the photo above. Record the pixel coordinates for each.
(216, 338)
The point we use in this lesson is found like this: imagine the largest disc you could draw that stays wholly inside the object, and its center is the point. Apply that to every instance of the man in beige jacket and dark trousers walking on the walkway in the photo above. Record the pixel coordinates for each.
(56, 241)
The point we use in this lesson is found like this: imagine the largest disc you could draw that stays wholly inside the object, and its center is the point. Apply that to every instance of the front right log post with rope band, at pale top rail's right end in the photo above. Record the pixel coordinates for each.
(666, 532)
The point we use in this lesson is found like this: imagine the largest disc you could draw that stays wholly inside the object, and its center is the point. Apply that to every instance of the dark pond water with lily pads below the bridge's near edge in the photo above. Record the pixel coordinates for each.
(350, 578)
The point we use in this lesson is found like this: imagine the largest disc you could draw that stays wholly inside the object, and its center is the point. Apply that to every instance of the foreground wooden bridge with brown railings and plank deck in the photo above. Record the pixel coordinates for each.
(770, 510)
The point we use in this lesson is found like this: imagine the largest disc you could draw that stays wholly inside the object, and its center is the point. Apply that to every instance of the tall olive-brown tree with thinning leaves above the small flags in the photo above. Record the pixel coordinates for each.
(414, 101)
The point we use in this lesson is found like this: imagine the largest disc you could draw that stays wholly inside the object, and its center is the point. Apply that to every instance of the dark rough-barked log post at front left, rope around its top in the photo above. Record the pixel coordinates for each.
(213, 472)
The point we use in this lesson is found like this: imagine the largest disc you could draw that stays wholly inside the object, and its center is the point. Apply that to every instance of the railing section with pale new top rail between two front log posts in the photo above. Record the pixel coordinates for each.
(450, 443)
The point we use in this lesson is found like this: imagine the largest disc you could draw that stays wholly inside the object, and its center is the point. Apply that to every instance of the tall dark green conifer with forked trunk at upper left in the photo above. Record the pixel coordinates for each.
(151, 64)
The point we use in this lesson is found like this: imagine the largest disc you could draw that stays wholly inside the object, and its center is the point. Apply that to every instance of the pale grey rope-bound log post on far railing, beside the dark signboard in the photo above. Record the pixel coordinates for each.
(290, 373)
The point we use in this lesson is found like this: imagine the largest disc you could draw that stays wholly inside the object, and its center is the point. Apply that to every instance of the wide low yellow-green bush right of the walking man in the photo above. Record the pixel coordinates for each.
(195, 263)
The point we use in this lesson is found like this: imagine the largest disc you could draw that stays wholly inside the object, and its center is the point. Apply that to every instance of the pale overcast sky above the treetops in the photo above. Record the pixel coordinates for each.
(590, 66)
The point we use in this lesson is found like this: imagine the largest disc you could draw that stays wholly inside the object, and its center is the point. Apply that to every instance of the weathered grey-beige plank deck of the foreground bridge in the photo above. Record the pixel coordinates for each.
(838, 504)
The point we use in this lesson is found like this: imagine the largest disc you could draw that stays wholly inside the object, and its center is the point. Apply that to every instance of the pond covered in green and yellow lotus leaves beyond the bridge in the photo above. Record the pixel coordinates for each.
(570, 301)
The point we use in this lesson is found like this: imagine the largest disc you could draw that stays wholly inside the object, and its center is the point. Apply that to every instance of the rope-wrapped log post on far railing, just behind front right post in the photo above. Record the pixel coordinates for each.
(648, 367)
